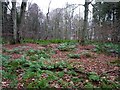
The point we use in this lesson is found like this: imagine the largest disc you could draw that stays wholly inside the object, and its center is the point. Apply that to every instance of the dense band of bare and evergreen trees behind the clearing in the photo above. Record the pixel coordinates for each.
(61, 23)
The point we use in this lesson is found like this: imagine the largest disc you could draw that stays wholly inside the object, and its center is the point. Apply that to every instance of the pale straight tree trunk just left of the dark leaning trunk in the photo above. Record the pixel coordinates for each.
(14, 21)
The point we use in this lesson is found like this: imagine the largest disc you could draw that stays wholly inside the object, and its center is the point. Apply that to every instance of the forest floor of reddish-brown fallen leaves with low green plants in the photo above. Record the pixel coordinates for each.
(58, 66)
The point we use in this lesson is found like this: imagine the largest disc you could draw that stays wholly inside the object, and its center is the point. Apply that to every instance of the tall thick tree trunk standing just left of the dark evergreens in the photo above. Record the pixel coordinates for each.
(85, 23)
